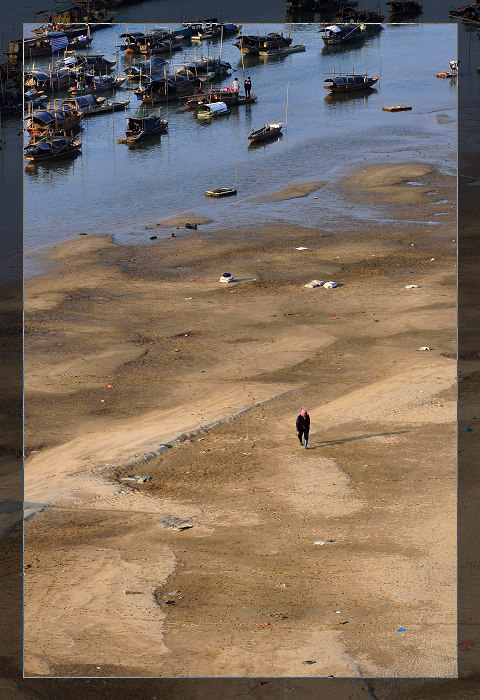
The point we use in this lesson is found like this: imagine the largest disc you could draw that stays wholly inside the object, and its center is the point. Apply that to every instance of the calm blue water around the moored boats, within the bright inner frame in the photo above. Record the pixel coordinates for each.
(116, 189)
